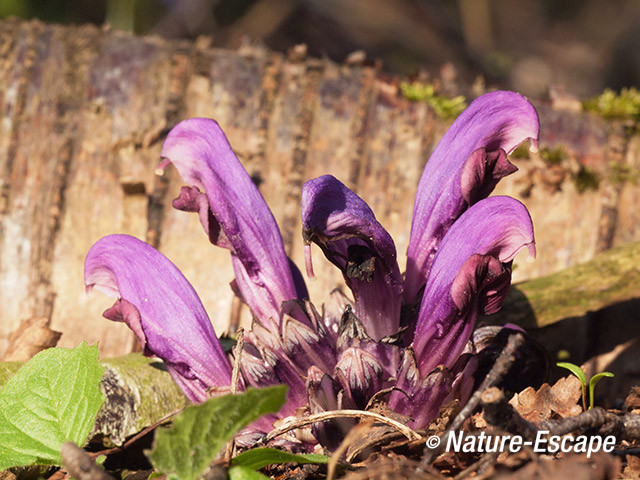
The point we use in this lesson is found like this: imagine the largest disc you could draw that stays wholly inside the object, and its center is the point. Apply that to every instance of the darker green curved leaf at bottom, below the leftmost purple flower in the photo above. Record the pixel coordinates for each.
(201, 431)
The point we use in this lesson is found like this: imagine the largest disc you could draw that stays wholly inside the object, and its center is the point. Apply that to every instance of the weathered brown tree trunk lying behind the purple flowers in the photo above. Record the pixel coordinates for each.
(85, 111)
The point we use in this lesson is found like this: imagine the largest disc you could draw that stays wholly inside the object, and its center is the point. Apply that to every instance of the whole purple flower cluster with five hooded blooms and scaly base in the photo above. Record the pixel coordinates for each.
(410, 334)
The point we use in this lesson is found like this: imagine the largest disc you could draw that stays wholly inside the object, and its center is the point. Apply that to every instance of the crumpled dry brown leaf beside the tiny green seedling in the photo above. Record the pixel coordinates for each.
(548, 402)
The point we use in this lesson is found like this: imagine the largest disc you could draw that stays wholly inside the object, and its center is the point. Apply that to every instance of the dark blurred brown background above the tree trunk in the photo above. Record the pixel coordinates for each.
(525, 45)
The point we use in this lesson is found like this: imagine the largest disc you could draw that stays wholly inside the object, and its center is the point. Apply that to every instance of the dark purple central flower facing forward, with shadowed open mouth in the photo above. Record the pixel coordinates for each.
(347, 231)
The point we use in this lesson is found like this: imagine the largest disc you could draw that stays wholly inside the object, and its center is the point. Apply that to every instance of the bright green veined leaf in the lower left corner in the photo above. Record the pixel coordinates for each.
(53, 398)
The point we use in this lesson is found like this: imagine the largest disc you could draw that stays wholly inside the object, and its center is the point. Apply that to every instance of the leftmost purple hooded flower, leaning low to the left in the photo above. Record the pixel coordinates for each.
(162, 309)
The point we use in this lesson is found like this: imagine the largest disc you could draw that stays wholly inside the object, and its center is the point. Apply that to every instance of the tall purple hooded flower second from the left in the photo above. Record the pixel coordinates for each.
(236, 215)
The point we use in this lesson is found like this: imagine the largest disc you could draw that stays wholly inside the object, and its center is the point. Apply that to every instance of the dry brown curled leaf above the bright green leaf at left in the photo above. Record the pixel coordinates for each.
(32, 336)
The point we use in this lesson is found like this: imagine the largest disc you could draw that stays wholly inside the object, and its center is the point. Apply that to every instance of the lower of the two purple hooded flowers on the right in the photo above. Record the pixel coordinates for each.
(470, 272)
